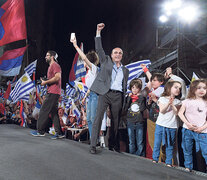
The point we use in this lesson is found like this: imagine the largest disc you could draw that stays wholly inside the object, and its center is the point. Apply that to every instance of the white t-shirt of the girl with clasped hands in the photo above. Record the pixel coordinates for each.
(167, 119)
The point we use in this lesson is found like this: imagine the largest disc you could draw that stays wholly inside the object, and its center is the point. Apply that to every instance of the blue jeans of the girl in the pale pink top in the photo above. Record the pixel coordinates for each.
(188, 138)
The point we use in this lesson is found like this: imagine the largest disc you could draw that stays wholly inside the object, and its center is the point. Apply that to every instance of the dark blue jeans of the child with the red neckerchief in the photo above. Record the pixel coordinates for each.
(135, 133)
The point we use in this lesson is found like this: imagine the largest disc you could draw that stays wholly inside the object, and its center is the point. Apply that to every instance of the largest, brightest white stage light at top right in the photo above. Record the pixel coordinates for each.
(189, 13)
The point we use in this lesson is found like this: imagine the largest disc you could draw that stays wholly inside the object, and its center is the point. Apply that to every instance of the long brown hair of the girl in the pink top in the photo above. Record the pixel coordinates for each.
(193, 88)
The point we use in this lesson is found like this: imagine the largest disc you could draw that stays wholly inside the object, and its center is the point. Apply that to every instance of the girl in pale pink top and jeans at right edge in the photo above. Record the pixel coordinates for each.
(193, 113)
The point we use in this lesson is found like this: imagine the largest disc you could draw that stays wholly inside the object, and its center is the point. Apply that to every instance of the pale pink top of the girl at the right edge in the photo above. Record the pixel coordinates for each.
(195, 112)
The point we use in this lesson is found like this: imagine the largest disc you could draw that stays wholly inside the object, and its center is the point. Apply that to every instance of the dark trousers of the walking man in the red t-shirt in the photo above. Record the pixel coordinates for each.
(49, 106)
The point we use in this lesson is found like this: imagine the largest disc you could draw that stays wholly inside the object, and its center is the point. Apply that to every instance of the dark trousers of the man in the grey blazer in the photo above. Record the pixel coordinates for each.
(114, 101)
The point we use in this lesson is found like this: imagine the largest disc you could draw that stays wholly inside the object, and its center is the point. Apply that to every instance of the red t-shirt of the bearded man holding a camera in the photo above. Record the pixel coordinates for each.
(54, 88)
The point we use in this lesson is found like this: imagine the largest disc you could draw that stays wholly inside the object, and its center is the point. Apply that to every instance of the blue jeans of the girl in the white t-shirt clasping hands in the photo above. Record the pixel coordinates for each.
(166, 136)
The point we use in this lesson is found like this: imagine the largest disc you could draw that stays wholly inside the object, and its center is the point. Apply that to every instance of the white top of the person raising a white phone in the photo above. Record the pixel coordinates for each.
(91, 75)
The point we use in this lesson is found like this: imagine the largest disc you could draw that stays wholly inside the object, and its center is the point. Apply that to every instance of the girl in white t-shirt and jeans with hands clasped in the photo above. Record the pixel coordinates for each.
(166, 124)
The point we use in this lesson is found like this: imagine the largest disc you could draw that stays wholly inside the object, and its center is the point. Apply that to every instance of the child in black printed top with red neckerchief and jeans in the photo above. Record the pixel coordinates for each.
(135, 105)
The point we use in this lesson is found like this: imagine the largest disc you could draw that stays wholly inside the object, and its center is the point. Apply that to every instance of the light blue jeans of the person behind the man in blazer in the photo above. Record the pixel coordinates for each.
(91, 109)
